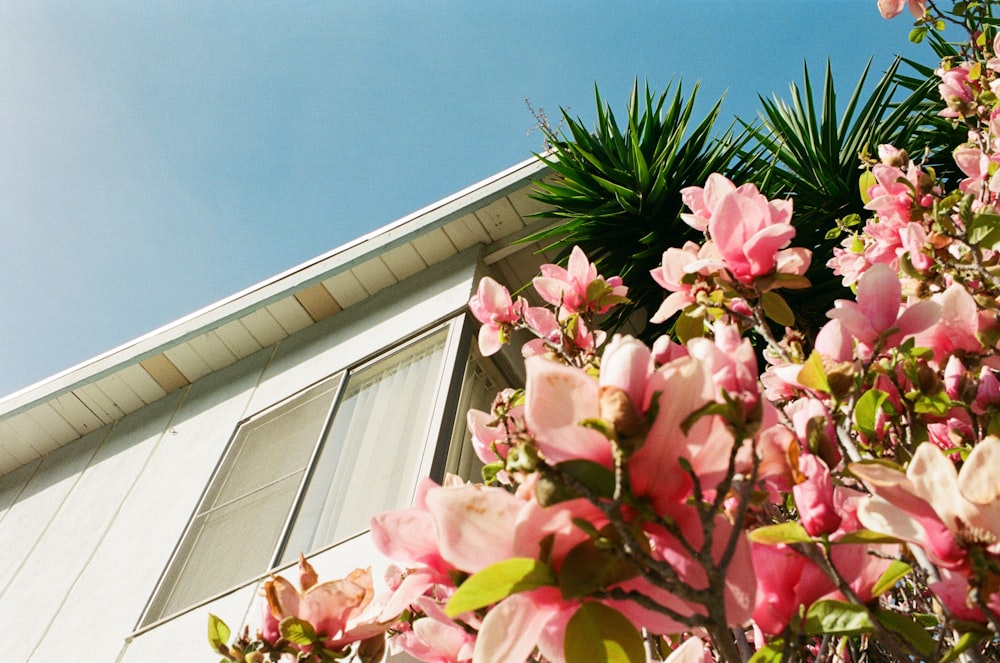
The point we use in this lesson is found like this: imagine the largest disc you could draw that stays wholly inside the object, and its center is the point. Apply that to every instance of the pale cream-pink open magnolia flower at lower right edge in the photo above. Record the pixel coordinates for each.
(943, 510)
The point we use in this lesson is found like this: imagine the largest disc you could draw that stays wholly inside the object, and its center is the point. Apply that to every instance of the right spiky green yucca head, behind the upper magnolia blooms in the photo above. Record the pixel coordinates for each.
(813, 156)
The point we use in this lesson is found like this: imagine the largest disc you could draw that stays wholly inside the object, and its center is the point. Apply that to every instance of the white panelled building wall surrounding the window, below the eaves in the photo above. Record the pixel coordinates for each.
(87, 530)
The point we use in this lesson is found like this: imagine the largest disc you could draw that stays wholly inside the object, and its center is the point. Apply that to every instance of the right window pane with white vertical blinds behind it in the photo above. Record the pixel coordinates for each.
(372, 453)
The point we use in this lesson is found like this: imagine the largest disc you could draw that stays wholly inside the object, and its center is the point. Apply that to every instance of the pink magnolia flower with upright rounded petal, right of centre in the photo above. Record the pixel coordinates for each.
(876, 315)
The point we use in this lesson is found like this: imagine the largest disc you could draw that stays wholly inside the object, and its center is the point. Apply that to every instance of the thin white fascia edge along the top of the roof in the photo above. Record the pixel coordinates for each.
(275, 288)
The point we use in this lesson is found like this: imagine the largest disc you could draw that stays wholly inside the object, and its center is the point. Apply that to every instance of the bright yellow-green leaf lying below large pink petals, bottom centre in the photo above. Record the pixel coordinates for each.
(498, 581)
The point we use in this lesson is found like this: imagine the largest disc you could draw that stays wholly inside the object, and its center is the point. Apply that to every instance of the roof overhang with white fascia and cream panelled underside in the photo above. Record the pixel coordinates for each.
(492, 213)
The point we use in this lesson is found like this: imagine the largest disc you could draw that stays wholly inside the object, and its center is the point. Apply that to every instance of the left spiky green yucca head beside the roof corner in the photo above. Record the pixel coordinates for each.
(617, 193)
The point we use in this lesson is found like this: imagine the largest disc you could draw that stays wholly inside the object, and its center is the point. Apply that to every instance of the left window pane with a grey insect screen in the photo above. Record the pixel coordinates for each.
(239, 523)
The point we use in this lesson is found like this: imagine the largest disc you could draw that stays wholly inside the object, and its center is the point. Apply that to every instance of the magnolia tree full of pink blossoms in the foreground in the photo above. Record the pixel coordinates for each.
(835, 498)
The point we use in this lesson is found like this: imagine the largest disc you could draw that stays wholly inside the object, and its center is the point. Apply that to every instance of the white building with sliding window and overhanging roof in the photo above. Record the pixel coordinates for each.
(163, 480)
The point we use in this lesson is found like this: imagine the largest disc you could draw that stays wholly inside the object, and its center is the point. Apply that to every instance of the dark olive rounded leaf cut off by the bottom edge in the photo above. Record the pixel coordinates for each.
(597, 633)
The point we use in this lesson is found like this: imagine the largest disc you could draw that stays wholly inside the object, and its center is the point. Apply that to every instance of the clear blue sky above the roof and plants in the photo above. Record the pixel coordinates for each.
(158, 156)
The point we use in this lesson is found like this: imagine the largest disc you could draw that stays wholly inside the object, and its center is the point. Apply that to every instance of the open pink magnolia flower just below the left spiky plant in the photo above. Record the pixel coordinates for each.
(578, 288)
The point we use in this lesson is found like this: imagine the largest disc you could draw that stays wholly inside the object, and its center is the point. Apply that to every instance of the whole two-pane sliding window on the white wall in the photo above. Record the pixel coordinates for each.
(309, 472)
